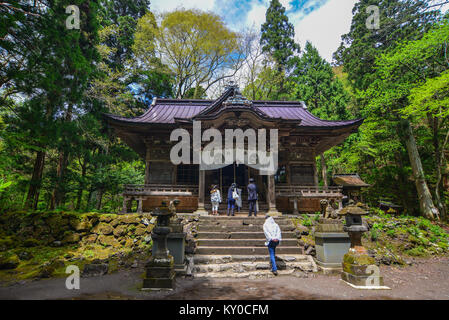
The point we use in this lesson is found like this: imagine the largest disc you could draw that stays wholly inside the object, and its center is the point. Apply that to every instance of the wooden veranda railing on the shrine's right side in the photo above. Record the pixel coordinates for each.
(308, 191)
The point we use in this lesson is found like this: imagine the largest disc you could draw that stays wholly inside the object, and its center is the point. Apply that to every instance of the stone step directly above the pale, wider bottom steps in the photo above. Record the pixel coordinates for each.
(245, 250)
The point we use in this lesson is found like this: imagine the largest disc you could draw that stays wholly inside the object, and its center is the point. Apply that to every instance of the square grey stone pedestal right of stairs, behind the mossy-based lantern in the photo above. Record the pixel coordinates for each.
(331, 244)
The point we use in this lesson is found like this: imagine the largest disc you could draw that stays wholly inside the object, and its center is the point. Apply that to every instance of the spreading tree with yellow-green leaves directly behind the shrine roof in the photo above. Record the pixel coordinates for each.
(196, 46)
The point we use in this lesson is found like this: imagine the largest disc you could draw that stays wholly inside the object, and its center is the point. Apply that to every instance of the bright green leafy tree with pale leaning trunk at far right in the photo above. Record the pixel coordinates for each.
(398, 73)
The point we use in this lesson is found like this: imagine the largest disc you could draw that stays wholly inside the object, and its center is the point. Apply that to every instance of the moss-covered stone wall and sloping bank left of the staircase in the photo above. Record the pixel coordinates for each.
(43, 244)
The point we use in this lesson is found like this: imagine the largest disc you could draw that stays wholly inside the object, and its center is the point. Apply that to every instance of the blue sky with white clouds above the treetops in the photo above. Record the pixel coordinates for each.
(321, 22)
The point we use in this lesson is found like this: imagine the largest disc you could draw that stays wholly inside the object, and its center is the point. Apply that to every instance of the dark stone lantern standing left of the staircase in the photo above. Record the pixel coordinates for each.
(160, 272)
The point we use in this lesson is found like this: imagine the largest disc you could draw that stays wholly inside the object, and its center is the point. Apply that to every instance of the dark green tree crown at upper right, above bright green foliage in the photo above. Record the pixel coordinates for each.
(398, 20)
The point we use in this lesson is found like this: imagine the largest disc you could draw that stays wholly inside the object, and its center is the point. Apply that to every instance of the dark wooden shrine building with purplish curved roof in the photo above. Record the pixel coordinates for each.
(301, 137)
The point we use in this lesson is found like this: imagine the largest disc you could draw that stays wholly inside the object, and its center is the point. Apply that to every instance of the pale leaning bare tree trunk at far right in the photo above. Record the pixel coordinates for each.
(427, 207)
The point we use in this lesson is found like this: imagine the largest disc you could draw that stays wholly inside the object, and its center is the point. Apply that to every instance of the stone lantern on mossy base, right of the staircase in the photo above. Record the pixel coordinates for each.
(359, 270)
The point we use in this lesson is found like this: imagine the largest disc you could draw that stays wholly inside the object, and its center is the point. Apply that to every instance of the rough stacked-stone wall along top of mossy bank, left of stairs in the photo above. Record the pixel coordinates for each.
(64, 228)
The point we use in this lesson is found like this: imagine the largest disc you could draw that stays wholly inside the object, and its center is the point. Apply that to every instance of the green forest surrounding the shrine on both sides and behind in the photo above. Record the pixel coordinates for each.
(56, 151)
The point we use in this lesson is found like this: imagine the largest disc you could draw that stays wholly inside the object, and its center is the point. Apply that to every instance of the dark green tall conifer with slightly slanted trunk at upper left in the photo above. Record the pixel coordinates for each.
(58, 67)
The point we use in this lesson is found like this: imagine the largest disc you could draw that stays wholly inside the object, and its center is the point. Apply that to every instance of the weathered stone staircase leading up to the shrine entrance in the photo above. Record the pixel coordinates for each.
(234, 247)
